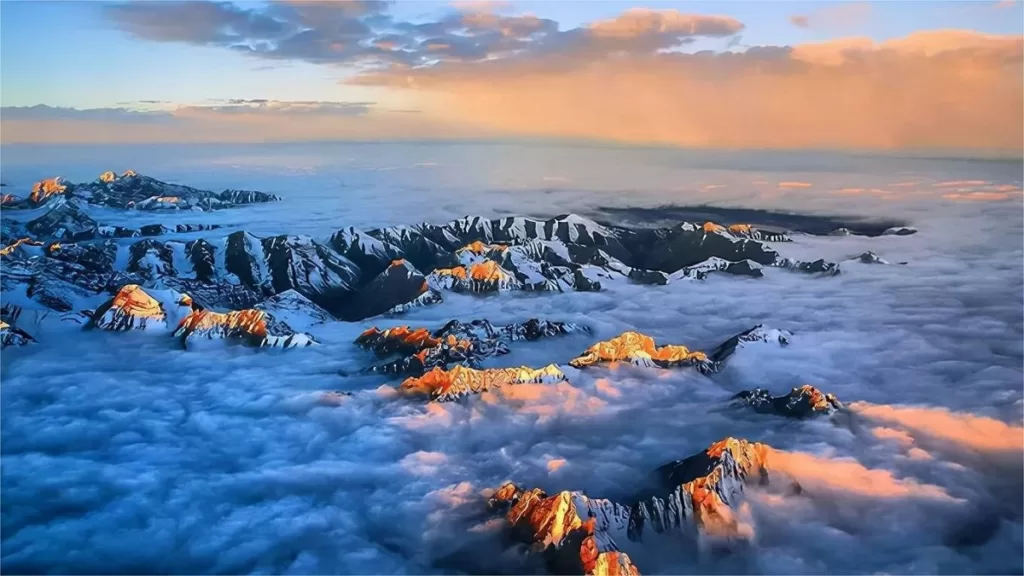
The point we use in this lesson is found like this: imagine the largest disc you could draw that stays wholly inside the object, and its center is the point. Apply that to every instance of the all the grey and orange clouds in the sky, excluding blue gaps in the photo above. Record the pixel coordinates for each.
(634, 78)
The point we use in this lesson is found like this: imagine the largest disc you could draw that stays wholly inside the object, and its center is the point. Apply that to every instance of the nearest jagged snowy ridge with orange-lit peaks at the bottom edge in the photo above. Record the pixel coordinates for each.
(575, 532)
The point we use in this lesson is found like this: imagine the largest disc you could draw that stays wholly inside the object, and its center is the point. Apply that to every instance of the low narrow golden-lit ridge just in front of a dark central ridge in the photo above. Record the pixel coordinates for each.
(447, 386)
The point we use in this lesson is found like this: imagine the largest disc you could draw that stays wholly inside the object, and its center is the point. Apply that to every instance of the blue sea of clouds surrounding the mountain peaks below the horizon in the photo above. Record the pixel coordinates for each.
(123, 455)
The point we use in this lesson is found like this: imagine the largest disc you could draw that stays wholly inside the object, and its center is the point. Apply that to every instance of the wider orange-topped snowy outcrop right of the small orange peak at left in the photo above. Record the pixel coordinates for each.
(253, 327)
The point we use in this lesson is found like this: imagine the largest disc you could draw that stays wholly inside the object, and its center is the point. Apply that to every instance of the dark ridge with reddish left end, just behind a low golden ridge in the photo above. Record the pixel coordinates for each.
(456, 343)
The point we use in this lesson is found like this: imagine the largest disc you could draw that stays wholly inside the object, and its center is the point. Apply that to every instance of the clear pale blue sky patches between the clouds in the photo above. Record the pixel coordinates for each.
(67, 55)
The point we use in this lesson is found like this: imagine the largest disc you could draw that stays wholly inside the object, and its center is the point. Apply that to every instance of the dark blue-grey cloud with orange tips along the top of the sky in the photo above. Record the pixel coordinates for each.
(365, 34)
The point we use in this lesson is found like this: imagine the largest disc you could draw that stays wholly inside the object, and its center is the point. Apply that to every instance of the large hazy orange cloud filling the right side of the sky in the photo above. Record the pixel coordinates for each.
(949, 90)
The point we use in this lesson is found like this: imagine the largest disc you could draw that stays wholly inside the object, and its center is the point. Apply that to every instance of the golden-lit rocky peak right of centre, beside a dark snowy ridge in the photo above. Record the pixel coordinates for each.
(641, 350)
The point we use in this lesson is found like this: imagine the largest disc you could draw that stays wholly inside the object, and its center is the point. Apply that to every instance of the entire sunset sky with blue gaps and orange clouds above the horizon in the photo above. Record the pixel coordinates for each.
(862, 75)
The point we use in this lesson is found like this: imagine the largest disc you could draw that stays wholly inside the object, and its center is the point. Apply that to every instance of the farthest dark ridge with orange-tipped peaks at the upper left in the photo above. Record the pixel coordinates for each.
(134, 191)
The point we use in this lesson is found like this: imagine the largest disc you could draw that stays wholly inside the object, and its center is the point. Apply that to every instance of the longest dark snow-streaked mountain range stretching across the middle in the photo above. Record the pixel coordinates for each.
(352, 276)
